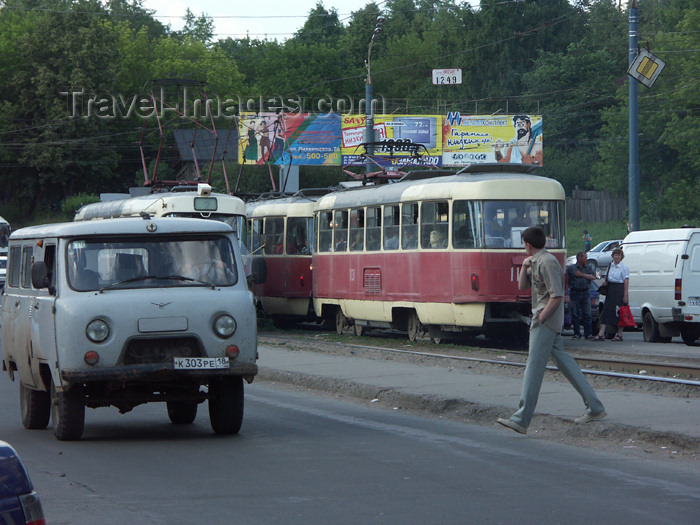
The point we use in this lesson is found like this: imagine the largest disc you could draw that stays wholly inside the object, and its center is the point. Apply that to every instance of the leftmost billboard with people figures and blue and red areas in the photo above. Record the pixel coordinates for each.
(307, 139)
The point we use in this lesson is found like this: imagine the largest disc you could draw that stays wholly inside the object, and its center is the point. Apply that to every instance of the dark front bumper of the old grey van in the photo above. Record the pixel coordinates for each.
(156, 372)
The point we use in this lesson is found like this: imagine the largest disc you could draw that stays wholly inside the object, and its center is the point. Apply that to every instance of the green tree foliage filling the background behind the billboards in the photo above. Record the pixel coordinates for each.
(564, 60)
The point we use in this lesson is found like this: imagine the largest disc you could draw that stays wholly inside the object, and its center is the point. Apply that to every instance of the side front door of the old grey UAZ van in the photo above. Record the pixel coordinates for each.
(42, 335)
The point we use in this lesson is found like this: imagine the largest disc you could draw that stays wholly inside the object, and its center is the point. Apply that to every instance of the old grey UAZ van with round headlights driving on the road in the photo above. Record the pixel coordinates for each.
(128, 311)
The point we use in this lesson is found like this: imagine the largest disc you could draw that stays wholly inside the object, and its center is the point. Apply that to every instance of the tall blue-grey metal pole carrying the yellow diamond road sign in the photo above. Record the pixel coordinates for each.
(633, 174)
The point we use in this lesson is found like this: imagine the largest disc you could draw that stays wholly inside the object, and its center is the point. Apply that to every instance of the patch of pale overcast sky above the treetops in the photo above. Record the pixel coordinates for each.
(272, 19)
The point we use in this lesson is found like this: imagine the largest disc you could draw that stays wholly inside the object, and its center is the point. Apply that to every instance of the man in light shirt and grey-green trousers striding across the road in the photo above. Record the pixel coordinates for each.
(542, 272)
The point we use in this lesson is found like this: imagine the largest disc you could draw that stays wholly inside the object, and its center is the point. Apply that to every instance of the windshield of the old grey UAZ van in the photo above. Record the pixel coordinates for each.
(101, 263)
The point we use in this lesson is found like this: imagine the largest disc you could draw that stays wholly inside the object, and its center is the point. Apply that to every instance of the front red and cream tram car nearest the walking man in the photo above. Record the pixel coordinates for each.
(437, 253)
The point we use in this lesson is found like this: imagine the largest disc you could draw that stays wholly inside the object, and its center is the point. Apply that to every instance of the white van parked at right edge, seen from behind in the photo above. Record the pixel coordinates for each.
(664, 287)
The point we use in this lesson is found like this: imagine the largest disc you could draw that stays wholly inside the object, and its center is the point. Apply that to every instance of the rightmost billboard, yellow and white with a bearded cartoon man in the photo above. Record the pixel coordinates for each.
(470, 139)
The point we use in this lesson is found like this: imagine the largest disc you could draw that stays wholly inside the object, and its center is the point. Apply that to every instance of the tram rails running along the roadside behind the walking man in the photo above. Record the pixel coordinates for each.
(616, 368)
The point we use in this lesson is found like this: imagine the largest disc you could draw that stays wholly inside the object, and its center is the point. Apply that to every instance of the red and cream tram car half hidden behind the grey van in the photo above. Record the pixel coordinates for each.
(280, 230)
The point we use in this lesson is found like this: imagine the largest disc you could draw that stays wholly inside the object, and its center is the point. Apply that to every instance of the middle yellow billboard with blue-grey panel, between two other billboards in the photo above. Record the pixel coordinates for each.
(397, 132)
